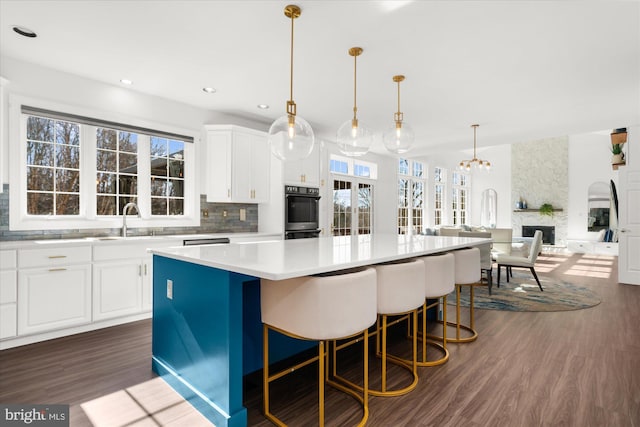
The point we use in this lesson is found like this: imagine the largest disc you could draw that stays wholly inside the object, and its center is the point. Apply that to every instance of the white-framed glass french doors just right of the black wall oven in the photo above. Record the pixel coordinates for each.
(352, 211)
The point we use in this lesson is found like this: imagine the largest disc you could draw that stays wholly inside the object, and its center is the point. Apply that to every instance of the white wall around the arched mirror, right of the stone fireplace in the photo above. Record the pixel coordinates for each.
(589, 162)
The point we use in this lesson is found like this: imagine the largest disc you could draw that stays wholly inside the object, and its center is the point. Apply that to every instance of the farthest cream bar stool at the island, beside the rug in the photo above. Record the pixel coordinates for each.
(467, 273)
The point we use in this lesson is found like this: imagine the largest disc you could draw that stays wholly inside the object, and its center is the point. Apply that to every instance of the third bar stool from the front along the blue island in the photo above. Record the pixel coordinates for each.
(439, 282)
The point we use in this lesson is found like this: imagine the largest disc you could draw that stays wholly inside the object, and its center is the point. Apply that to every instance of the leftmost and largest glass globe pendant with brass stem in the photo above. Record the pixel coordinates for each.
(290, 136)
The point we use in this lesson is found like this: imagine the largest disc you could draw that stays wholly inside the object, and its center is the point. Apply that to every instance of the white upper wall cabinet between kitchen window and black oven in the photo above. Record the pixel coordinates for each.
(237, 165)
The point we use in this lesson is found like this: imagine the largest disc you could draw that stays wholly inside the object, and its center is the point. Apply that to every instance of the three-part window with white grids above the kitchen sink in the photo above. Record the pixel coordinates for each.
(79, 172)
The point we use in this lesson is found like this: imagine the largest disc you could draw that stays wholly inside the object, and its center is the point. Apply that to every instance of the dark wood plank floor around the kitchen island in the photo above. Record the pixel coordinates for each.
(572, 368)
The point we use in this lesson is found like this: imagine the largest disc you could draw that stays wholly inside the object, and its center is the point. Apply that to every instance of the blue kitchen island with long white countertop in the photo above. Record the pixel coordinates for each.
(206, 306)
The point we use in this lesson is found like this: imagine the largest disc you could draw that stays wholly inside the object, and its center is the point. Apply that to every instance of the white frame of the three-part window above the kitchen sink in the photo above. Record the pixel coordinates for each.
(20, 220)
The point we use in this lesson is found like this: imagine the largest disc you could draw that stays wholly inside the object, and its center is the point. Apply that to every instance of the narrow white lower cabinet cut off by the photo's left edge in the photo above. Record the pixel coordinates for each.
(8, 294)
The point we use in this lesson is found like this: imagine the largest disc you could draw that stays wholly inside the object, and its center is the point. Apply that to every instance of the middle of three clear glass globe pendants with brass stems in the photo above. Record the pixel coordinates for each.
(353, 138)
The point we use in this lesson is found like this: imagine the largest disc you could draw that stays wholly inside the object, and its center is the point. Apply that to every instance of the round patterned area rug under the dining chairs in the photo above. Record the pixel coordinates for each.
(522, 294)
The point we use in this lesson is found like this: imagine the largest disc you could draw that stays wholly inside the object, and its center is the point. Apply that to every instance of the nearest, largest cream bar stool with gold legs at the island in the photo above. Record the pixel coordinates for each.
(319, 308)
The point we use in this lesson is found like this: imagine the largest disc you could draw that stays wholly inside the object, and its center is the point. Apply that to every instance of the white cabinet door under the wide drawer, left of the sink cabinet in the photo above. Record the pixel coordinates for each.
(53, 298)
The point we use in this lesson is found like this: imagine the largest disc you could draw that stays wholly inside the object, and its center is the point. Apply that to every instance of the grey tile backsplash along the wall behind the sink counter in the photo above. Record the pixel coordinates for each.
(214, 218)
